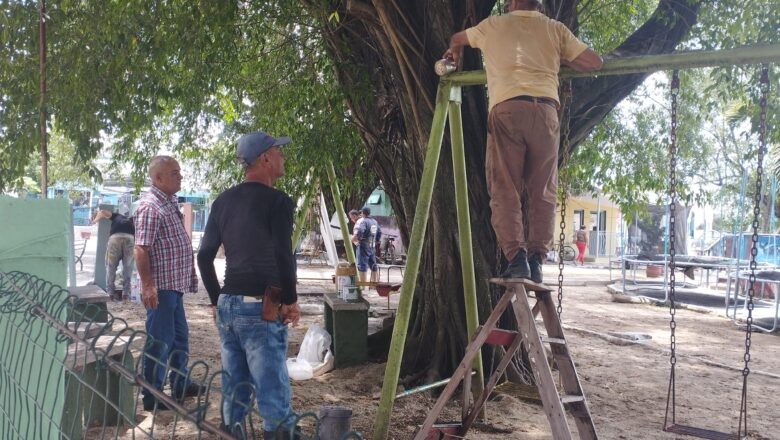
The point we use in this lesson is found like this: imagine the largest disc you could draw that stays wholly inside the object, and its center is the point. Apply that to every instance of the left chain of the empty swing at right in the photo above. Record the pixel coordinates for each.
(675, 91)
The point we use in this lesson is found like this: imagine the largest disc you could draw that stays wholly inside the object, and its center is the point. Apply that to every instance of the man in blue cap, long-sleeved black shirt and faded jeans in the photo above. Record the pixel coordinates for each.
(253, 221)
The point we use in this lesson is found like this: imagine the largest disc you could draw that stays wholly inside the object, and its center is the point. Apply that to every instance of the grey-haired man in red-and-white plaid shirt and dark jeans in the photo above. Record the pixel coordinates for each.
(164, 260)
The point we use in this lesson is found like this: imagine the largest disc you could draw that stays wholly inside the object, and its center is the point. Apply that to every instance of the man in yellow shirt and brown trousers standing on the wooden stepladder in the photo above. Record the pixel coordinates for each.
(522, 53)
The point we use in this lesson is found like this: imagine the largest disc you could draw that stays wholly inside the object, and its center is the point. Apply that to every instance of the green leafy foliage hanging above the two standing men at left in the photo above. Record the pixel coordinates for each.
(187, 77)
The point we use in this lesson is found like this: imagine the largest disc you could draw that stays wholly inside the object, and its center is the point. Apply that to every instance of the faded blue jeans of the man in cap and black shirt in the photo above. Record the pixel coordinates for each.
(253, 359)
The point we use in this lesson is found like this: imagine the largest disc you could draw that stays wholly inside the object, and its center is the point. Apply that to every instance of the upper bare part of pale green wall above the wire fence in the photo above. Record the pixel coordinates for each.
(34, 237)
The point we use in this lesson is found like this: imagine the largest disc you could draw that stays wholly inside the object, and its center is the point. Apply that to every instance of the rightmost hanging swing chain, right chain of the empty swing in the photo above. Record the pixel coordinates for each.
(764, 88)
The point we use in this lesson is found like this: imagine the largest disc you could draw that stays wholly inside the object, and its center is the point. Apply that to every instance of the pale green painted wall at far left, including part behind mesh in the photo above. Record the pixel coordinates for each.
(34, 238)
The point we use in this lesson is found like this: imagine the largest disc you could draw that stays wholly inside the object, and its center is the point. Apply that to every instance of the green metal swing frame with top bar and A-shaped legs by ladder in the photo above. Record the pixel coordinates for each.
(448, 100)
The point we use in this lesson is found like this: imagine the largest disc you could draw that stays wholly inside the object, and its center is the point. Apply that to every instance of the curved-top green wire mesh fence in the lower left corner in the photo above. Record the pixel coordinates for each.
(72, 370)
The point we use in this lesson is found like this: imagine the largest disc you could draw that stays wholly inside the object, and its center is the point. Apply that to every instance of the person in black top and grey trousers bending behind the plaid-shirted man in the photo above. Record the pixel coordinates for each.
(120, 248)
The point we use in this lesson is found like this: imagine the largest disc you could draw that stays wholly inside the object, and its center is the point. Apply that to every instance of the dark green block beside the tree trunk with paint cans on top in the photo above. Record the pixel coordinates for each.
(347, 323)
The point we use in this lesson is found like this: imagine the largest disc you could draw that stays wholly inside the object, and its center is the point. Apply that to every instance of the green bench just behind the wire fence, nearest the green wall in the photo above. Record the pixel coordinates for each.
(93, 393)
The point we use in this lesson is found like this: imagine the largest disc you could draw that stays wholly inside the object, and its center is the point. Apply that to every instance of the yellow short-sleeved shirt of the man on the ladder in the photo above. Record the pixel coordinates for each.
(522, 52)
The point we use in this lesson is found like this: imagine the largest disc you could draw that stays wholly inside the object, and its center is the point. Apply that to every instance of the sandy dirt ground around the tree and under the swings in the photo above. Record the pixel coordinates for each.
(626, 385)
